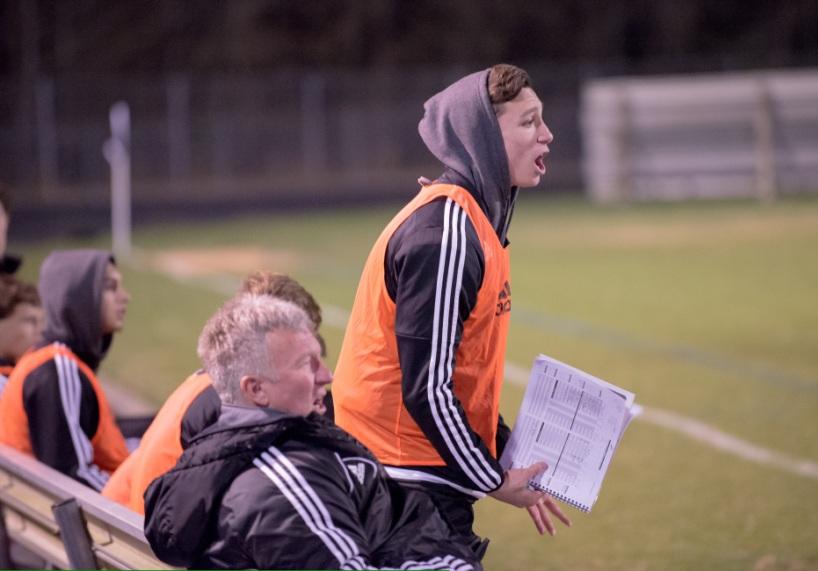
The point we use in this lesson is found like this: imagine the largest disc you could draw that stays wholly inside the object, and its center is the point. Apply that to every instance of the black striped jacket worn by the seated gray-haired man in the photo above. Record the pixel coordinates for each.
(259, 489)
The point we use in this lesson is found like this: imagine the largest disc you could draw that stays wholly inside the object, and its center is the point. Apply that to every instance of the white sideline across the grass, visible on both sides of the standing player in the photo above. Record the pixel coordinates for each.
(337, 317)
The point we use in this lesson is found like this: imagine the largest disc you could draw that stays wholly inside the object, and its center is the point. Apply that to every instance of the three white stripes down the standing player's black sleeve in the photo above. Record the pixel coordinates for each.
(450, 423)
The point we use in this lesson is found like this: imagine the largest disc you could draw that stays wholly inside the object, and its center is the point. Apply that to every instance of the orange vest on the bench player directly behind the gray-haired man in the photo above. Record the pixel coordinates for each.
(159, 449)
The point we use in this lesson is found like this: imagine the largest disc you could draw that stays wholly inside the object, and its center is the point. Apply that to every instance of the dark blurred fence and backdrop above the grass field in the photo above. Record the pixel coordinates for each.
(249, 104)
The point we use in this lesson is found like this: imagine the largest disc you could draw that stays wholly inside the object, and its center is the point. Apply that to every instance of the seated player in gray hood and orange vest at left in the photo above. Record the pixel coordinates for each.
(53, 406)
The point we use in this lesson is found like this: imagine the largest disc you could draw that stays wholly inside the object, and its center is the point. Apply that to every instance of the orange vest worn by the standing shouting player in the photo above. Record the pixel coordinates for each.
(367, 381)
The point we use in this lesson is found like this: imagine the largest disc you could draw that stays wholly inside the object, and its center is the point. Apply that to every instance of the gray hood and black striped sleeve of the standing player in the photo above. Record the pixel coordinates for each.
(460, 128)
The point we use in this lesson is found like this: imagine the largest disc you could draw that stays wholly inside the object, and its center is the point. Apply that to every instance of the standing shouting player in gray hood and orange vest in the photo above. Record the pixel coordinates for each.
(420, 371)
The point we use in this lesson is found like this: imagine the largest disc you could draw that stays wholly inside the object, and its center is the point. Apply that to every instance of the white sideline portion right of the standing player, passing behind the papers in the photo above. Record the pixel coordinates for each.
(704, 433)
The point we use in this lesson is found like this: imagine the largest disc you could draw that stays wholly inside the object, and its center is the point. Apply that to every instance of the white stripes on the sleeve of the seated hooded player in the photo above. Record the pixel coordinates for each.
(71, 395)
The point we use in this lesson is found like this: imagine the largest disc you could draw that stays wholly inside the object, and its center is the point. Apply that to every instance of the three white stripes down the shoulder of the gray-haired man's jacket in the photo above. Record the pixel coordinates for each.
(276, 466)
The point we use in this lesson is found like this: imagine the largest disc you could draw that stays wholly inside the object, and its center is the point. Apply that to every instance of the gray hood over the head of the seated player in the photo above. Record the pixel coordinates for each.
(70, 286)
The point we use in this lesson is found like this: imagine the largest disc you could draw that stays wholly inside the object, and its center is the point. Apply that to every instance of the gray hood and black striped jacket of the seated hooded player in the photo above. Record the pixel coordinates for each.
(62, 407)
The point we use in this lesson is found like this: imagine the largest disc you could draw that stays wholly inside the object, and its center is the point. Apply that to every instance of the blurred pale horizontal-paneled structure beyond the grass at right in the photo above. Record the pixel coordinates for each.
(701, 136)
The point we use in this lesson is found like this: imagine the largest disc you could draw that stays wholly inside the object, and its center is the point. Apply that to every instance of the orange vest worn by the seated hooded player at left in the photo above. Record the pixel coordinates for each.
(108, 443)
